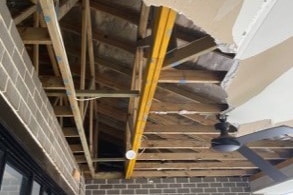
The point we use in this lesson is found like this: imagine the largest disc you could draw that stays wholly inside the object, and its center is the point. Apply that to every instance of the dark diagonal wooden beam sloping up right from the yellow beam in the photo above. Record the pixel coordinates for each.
(191, 50)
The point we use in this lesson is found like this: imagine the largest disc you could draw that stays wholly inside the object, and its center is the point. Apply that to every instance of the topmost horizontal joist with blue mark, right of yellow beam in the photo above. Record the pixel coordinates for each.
(191, 76)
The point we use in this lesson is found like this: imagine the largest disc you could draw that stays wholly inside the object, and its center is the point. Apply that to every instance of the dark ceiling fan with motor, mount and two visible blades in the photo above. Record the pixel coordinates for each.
(226, 143)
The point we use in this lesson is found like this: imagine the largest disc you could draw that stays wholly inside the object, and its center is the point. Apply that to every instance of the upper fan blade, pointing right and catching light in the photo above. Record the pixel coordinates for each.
(265, 134)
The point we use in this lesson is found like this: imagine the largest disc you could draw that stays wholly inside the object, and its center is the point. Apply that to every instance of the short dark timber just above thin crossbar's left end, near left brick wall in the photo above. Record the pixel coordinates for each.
(52, 82)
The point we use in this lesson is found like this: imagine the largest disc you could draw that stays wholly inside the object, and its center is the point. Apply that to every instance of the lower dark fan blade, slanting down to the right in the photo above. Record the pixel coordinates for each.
(264, 165)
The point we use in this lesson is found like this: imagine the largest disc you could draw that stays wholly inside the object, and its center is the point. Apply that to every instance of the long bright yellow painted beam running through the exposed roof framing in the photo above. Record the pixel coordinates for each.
(162, 33)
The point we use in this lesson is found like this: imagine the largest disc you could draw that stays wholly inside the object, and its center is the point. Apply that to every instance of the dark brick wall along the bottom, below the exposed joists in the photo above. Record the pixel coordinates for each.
(172, 186)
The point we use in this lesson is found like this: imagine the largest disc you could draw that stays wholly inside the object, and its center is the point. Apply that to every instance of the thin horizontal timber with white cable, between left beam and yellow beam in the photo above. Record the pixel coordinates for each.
(106, 93)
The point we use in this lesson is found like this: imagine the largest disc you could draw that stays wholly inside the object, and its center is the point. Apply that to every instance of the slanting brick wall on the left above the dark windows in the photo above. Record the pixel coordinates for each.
(22, 90)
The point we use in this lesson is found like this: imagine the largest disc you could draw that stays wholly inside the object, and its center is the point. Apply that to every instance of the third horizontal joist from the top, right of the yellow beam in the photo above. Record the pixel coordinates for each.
(180, 129)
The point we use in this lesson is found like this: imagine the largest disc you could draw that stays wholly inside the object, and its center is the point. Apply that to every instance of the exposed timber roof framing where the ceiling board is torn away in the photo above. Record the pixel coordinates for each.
(125, 76)
